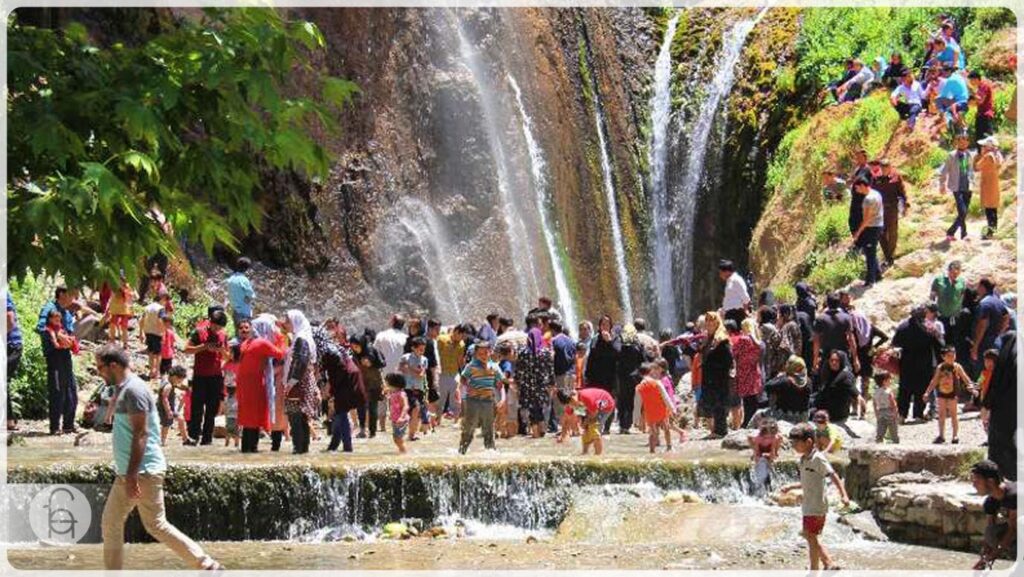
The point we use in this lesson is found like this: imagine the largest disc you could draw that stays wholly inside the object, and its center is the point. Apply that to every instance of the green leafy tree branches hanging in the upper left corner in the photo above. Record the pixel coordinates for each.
(112, 148)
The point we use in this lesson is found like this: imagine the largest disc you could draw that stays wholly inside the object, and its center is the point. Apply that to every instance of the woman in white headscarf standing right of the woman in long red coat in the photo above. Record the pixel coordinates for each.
(302, 395)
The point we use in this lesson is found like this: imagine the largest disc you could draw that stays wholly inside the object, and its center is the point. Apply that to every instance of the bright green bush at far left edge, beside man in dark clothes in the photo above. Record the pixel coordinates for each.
(28, 389)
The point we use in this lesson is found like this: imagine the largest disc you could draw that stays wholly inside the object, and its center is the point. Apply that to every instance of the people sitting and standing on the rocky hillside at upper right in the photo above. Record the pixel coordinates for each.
(878, 195)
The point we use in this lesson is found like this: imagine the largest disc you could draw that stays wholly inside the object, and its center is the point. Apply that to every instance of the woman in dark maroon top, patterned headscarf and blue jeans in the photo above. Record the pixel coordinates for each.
(345, 385)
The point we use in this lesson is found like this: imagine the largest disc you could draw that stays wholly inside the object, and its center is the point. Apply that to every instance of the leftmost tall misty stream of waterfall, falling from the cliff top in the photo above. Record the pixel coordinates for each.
(520, 242)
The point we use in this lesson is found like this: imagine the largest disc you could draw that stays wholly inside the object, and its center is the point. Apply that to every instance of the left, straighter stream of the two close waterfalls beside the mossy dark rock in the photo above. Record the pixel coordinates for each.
(661, 106)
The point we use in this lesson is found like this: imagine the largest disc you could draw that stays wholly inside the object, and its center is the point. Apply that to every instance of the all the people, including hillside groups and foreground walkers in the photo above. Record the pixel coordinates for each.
(748, 365)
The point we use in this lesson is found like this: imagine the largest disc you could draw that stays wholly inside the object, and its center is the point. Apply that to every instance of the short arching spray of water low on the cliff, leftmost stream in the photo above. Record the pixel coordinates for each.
(432, 239)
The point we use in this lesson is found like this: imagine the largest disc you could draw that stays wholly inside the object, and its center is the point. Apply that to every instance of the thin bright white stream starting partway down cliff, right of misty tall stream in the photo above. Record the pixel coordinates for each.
(541, 194)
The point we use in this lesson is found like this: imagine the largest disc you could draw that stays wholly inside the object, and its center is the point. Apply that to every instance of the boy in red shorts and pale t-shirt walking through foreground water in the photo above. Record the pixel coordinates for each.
(815, 470)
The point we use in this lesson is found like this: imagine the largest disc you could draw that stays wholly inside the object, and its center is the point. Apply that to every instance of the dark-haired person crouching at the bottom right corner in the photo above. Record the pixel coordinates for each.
(1001, 511)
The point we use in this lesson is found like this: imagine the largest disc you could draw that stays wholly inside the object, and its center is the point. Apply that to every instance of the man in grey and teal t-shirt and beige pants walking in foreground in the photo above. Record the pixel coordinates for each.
(140, 466)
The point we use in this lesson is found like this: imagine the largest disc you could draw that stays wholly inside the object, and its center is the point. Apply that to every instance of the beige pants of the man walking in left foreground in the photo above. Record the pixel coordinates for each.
(151, 510)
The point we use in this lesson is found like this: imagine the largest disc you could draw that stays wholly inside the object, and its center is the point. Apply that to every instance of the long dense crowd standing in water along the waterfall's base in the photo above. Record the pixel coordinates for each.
(742, 366)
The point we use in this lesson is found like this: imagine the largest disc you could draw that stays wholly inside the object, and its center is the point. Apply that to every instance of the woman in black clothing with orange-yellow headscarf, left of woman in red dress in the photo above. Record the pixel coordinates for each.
(716, 364)
